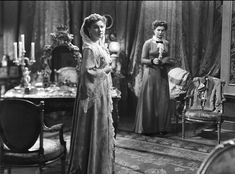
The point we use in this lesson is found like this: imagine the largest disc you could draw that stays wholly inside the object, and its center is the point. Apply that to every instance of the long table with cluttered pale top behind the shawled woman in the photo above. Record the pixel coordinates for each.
(59, 98)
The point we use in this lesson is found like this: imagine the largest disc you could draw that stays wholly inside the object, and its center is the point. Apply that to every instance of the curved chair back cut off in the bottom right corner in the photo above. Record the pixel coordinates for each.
(221, 160)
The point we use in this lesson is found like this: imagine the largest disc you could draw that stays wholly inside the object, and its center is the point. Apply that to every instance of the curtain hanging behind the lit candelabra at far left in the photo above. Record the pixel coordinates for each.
(35, 19)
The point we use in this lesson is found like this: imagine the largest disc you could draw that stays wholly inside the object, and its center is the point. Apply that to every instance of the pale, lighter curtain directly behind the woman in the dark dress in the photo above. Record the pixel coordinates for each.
(150, 11)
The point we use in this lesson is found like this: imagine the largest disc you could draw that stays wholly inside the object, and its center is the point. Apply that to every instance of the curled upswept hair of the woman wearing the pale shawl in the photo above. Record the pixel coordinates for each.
(93, 18)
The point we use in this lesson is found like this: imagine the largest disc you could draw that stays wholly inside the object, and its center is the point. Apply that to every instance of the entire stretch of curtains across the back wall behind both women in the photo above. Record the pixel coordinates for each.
(194, 32)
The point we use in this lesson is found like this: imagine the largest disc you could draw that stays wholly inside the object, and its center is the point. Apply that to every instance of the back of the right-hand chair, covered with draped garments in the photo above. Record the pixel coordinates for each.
(205, 93)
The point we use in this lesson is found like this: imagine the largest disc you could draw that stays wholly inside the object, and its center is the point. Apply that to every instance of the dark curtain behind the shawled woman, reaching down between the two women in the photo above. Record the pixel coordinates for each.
(125, 19)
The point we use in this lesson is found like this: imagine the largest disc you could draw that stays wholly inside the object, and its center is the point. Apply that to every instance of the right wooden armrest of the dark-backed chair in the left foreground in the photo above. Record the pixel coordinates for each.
(56, 128)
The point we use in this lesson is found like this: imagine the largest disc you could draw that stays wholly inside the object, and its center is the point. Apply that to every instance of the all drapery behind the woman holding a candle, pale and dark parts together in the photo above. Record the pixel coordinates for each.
(194, 33)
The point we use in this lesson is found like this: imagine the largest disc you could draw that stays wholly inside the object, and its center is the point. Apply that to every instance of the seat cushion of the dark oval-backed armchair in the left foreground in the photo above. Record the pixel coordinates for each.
(52, 150)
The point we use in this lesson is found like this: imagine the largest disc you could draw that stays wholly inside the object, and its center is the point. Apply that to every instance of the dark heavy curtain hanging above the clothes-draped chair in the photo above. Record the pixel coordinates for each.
(201, 37)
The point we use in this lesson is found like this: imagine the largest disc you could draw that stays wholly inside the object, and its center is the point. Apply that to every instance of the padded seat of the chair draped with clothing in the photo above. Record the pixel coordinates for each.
(202, 115)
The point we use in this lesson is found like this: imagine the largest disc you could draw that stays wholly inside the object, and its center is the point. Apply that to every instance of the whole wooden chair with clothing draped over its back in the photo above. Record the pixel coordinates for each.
(204, 103)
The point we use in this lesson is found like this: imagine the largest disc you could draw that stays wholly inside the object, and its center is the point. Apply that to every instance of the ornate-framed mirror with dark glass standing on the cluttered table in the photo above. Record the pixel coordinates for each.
(61, 53)
